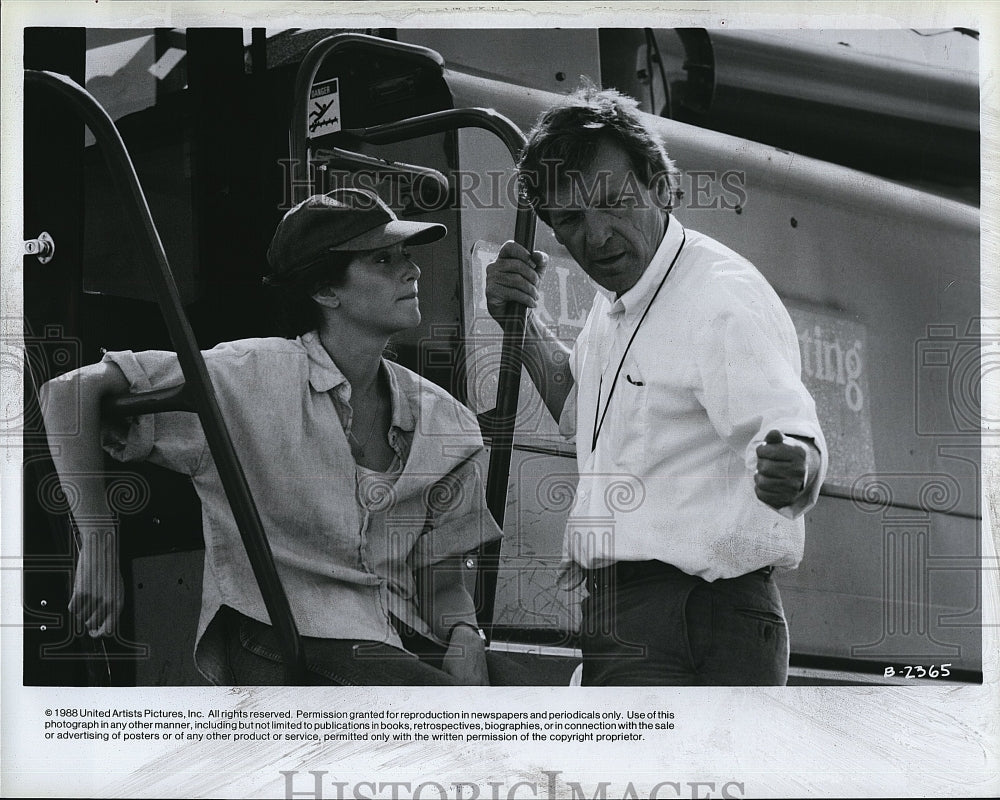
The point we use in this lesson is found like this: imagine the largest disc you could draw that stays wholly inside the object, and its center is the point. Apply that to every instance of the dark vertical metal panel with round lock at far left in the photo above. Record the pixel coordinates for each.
(53, 327)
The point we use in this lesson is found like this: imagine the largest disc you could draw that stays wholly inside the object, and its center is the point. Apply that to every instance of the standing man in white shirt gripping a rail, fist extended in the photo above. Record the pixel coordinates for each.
(698, 447)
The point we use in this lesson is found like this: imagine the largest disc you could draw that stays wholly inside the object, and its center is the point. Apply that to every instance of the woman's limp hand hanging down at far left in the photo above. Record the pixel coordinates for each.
(98, 589)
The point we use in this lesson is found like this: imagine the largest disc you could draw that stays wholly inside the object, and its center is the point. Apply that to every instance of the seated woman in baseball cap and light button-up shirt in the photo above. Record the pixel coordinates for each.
(367, 477)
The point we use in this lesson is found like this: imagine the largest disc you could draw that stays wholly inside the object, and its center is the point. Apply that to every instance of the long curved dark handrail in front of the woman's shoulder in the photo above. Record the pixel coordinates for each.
(198, 383)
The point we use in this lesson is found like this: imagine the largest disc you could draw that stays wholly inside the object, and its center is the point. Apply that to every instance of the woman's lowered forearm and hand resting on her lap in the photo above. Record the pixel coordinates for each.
(450, 612)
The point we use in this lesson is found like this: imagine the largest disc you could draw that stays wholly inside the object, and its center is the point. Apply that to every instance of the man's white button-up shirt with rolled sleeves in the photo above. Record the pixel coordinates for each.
(712, 368)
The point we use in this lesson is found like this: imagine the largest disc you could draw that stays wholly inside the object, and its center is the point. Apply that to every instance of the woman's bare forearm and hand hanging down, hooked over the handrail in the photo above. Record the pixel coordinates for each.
(71, 406)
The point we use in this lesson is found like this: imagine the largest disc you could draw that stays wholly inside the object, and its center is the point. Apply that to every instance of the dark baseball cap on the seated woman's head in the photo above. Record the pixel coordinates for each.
(344, 219)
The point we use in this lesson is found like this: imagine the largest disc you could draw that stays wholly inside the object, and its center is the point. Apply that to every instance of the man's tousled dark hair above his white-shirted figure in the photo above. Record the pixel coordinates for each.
(566, 139)
